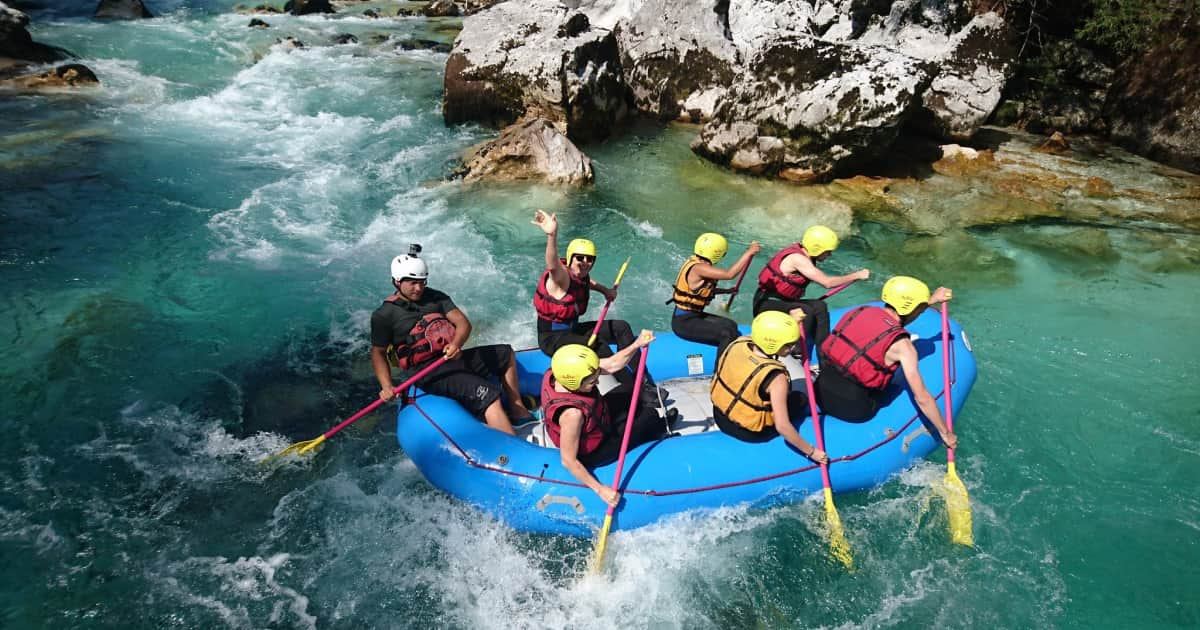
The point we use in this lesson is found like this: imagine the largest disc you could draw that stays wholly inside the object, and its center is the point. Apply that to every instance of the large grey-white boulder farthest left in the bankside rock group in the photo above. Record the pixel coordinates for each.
(536, 59)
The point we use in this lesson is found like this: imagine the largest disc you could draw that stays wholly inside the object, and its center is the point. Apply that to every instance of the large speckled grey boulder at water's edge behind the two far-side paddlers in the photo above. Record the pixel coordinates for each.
(808, 110)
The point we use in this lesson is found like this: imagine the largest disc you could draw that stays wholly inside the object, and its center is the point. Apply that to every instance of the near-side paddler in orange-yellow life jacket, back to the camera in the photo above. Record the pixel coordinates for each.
(752, 392)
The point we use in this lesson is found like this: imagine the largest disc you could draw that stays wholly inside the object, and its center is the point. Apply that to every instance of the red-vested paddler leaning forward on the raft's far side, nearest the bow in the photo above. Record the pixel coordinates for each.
(783, 283)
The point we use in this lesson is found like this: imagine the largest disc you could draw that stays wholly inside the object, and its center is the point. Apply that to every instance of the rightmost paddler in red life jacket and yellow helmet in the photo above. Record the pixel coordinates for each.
(866, 350)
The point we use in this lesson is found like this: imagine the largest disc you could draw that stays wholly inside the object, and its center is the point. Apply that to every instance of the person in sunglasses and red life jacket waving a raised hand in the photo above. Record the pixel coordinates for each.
(562, 298)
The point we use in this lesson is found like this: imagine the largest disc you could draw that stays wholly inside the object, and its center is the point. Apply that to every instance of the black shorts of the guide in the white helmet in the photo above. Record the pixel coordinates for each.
(473, 379)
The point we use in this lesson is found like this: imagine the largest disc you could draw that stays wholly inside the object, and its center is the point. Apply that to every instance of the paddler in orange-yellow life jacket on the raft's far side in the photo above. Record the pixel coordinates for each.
(697, 286)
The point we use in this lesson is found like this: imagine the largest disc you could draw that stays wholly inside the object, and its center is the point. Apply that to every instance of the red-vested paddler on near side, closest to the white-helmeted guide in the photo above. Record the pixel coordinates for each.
(589, 428)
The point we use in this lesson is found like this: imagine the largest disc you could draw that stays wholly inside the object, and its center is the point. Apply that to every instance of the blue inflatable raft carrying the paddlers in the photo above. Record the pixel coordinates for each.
(521, 482)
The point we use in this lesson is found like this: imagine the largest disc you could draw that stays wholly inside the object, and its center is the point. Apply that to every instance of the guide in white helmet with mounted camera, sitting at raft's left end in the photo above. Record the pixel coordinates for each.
(417, 325)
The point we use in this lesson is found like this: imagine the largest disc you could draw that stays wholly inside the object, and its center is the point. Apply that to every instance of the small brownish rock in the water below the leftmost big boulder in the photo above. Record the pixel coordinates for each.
(532, 151)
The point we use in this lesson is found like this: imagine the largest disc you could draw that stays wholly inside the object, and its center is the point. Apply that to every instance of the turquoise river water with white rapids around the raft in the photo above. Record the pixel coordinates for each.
(189, 260)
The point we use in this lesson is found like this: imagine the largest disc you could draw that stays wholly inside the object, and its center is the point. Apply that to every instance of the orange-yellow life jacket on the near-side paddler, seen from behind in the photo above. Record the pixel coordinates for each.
(737, 386)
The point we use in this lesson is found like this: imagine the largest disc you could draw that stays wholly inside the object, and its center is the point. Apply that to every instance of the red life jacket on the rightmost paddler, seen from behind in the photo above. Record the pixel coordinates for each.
(859, 345)
